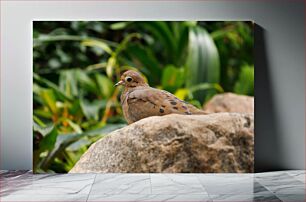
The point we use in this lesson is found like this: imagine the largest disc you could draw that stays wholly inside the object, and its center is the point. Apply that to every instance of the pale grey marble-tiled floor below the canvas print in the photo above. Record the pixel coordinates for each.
(273, 186)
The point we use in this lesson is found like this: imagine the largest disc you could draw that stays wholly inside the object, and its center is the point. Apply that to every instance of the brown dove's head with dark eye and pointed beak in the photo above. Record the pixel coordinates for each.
(131, 79)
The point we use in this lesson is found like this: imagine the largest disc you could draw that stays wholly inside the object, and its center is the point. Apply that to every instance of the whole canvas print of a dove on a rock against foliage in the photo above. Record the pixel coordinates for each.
(143, 97)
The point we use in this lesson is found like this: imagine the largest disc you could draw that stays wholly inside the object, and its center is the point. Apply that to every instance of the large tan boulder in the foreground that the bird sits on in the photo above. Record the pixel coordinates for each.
(220, 142)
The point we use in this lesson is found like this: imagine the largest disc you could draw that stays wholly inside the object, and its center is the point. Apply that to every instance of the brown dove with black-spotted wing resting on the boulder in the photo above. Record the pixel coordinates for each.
(139, 100)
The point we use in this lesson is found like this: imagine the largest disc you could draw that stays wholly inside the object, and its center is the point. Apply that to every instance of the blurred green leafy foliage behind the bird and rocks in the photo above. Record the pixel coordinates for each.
(76, 64)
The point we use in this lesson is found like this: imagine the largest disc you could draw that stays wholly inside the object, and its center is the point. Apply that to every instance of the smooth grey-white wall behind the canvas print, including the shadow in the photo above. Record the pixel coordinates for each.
(279, 74)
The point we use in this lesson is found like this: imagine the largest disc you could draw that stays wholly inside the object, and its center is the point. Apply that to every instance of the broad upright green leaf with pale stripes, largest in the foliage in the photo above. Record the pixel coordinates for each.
(203, 65)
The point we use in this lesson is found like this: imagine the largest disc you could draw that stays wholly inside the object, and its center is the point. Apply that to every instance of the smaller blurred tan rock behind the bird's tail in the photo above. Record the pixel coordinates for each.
(230, 102)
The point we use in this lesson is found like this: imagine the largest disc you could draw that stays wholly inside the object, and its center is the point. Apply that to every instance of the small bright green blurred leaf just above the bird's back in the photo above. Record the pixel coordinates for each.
(173, 78)
